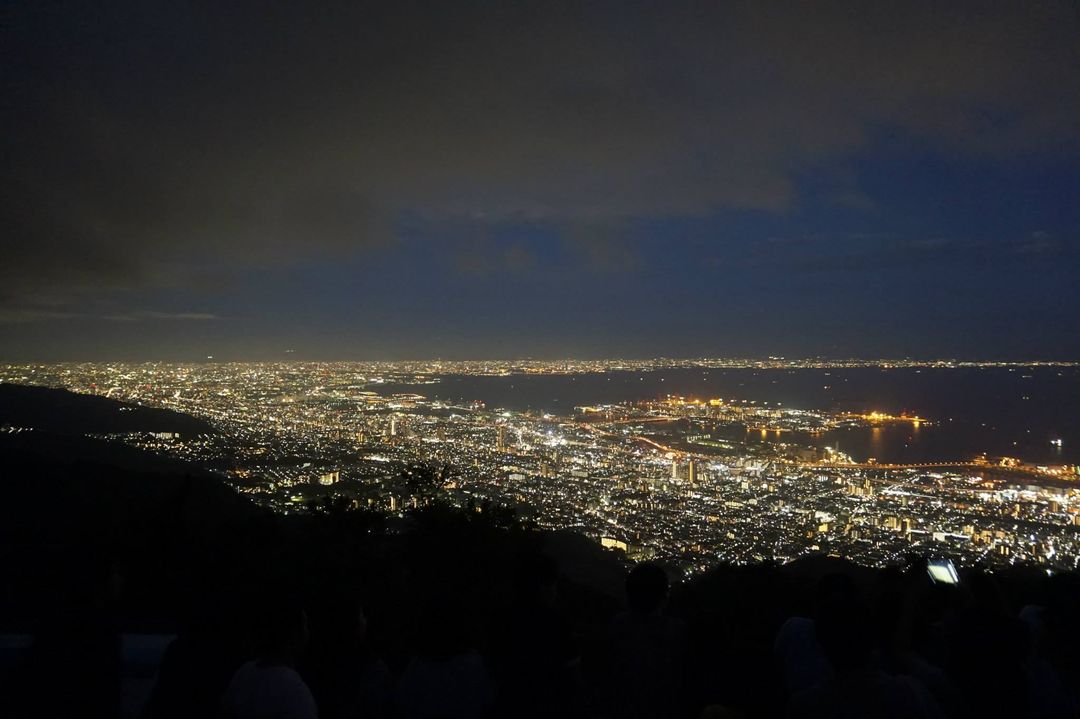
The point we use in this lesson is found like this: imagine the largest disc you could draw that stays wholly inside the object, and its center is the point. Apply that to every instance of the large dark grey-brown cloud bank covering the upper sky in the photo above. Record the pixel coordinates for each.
(150, 144)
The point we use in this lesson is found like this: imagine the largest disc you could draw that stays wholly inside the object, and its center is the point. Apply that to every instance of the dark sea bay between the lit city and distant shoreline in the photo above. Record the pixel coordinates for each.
(998, 412)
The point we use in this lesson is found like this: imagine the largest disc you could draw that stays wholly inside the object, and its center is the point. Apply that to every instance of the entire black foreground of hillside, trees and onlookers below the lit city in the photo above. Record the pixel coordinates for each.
(138, 587)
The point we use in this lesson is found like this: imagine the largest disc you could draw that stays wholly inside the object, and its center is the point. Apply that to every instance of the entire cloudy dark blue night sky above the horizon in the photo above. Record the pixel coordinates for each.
(509, 180)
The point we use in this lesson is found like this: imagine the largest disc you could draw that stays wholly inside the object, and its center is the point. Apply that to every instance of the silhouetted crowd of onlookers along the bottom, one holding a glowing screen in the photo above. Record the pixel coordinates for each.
(882, 644)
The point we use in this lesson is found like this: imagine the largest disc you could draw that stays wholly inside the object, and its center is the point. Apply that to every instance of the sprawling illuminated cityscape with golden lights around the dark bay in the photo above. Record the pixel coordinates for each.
(659, 480)
